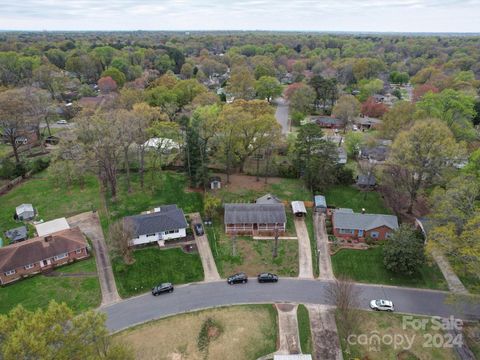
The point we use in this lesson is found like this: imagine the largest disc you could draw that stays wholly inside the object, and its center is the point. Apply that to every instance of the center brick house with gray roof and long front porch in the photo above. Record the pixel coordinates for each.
(253, 219)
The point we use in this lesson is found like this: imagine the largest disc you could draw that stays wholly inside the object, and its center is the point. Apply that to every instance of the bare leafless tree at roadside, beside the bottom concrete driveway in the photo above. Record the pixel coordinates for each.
(345, 296)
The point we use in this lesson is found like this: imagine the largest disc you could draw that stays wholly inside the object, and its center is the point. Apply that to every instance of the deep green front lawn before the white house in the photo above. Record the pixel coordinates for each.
(153, 266)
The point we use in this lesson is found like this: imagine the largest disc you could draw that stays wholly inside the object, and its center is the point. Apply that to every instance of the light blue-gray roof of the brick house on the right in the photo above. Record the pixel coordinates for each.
(345, 220)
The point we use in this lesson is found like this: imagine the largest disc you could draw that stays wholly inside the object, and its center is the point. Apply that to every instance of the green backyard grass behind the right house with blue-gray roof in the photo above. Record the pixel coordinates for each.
(350, 197)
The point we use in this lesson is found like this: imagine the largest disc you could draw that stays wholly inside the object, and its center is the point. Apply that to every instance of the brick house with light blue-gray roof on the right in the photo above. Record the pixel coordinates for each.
(349, 225)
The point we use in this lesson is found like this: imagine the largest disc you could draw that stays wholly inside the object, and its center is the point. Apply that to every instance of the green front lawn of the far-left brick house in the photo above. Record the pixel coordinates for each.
(80, 293)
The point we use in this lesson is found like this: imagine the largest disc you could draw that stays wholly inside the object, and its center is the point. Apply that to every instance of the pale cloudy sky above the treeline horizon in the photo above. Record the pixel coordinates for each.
(307, 15)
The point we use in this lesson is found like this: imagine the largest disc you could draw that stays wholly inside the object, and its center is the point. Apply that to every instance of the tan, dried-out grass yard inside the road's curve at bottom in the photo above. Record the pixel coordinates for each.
(238, 333)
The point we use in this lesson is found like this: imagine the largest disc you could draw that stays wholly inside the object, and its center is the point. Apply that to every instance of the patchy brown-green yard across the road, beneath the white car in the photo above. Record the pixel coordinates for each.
(391, 326)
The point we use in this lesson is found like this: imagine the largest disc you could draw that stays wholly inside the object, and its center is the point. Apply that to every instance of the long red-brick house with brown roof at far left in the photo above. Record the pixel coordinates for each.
(42, 253)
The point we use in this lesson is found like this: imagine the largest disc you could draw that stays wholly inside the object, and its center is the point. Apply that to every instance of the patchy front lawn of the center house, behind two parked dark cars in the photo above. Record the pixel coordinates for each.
(252, 256)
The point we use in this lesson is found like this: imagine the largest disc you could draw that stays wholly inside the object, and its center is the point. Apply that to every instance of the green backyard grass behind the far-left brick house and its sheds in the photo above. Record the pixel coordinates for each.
(50, 201)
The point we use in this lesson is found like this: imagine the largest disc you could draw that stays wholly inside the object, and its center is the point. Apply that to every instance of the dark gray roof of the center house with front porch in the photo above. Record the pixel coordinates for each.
(254, 214)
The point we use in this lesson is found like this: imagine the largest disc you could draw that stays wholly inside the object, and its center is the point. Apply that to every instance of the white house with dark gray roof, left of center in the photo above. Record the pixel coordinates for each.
(166, 222)
